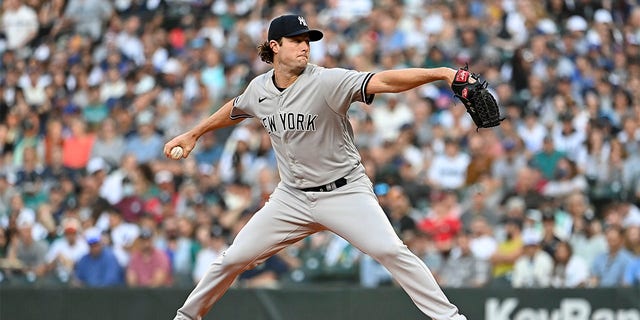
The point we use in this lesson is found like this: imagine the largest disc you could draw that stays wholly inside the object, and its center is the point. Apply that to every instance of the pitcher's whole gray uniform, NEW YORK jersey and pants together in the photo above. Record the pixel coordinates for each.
(313, 141)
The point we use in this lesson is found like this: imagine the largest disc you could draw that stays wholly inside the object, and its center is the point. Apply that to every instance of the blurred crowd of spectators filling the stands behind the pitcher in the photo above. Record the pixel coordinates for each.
(91, 90)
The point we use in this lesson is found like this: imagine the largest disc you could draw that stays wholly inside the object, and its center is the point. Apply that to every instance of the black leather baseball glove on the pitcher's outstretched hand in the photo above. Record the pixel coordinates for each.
(480, 104)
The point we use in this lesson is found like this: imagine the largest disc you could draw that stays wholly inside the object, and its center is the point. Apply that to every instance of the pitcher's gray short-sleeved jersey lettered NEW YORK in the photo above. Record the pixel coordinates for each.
(310, 132)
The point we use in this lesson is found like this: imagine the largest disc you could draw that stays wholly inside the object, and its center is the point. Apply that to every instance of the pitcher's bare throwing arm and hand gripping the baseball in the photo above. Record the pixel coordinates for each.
(187, 140)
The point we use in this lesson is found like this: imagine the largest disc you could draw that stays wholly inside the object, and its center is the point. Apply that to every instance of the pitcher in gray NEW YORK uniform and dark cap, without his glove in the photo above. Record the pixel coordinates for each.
(303, 107)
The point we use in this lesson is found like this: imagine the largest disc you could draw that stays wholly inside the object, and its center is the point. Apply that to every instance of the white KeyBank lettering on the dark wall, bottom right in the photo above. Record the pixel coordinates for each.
(569, 309)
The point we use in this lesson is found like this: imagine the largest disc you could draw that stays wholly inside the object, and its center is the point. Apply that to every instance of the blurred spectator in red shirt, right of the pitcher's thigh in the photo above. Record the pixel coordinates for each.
(442, 223)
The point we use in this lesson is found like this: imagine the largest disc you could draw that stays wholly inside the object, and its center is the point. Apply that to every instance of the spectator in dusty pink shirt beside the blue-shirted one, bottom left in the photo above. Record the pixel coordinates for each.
(149, 266)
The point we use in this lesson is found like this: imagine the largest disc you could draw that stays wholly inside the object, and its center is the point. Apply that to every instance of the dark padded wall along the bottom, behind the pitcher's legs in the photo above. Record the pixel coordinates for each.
(320, 304)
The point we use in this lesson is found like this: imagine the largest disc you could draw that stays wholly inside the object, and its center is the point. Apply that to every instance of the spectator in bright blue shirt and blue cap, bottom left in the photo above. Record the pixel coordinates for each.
(99, 267)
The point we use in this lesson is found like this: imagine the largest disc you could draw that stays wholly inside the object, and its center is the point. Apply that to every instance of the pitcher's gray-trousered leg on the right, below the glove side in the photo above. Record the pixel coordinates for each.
(353, 213)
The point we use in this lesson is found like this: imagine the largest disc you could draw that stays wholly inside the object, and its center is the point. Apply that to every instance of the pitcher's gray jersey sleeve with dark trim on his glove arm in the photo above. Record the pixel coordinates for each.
(344, 87)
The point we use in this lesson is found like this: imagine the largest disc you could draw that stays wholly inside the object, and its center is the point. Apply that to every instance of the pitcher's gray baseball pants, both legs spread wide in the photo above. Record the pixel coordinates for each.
(351, 212)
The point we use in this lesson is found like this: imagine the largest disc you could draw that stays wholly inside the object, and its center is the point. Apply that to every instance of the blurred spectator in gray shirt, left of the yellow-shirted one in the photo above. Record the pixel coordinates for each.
(462, 268)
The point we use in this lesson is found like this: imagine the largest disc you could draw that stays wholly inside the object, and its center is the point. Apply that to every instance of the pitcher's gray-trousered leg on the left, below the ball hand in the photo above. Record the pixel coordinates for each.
(279, 223)
